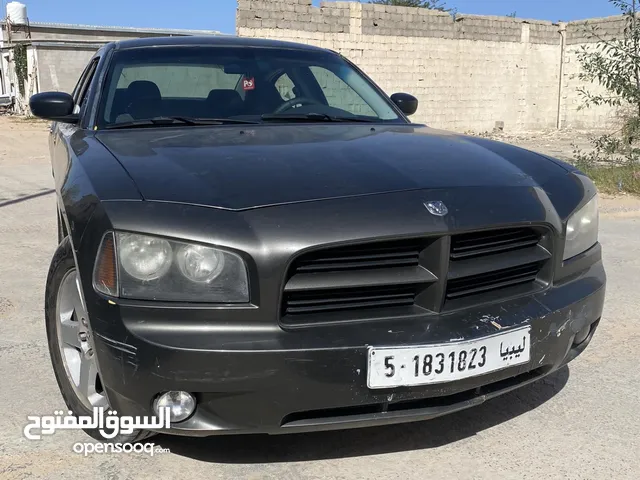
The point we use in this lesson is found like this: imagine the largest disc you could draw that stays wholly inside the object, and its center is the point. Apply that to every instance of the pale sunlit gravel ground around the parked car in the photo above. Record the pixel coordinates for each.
(580, 423)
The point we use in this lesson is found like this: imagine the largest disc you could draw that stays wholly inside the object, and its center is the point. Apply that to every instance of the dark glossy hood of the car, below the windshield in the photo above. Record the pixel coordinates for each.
(242, 167)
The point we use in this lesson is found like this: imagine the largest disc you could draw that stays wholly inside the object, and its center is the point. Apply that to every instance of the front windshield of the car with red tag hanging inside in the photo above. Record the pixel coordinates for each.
(157, 86)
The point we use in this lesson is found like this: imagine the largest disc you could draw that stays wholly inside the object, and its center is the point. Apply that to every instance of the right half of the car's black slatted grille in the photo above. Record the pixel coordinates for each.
(494, 263)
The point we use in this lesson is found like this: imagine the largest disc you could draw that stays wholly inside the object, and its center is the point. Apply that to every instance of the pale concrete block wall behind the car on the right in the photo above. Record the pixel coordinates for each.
(468, 71)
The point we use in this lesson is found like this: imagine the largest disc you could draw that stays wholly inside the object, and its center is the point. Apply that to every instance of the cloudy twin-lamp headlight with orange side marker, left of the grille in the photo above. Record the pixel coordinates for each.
(153, 268)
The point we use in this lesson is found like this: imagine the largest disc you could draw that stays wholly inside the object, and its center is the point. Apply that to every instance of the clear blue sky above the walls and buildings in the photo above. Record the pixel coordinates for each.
(220, 14)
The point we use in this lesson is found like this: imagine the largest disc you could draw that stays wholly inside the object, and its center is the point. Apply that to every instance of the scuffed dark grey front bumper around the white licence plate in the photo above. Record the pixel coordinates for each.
(268, 380)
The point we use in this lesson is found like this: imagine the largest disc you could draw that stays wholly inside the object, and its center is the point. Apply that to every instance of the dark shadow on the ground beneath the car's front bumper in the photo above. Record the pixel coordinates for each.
(247, 449)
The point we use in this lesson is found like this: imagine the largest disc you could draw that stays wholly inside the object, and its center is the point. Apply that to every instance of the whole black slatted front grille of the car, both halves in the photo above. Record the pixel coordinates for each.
(414, 277)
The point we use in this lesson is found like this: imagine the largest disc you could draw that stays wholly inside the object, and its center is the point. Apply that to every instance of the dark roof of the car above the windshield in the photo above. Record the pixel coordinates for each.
(213, 40)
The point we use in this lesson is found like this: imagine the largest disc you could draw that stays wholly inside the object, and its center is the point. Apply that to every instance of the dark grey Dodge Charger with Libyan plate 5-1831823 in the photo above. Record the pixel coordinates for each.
(254, 236)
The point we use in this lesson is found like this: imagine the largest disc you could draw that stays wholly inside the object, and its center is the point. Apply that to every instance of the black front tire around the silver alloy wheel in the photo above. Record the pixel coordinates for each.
(62, 267)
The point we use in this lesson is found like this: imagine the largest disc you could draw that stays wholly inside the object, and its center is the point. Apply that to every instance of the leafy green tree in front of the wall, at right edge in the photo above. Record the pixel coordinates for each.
(614, 63)
